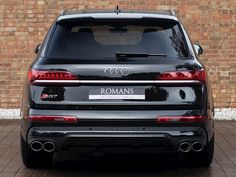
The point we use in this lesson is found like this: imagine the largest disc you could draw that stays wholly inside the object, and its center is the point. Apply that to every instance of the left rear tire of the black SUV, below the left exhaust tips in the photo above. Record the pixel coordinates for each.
(32, 159)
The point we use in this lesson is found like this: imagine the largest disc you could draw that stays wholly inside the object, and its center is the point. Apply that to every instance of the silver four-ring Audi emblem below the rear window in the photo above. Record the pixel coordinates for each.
(116, 71)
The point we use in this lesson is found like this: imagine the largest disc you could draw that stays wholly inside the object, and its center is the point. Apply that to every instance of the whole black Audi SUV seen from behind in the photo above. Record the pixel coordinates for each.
(117, 81)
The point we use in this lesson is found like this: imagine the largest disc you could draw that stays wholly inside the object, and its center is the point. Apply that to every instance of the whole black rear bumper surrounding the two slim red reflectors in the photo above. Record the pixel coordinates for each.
(123, 131)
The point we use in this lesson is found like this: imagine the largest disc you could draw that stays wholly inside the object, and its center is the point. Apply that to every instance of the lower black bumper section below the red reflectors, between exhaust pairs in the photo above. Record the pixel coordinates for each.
(110, 138)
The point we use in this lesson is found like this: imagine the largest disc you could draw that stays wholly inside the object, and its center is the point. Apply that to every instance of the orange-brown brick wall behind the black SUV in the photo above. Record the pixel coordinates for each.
(24, 23)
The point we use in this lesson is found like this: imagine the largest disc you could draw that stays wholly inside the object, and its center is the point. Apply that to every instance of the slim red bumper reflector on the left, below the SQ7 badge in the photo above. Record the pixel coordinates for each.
(69, 119)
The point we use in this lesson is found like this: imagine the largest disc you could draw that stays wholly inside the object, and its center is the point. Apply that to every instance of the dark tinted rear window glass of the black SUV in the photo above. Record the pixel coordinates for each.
(100, 39)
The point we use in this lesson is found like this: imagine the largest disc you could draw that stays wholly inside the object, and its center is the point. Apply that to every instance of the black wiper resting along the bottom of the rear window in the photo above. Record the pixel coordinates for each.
(124, 55)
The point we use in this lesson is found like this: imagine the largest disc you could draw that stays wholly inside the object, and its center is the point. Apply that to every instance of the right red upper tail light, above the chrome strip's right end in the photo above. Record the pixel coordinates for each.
(199, 75)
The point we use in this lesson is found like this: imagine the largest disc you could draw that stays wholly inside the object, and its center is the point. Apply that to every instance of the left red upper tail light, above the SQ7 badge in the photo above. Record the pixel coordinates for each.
(49, 75)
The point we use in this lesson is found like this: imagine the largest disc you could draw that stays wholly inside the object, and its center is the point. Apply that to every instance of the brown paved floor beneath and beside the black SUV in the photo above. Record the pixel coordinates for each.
(115, 166)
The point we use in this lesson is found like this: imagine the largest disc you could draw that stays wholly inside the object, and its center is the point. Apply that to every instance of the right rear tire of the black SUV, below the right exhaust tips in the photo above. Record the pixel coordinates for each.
(203, 158)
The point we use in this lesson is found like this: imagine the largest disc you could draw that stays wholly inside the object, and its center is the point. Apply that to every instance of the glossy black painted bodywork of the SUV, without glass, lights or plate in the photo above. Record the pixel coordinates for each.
(120, 123)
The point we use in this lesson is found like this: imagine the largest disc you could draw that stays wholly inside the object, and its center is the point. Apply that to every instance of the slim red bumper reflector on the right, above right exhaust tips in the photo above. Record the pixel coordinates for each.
(181, 119)
